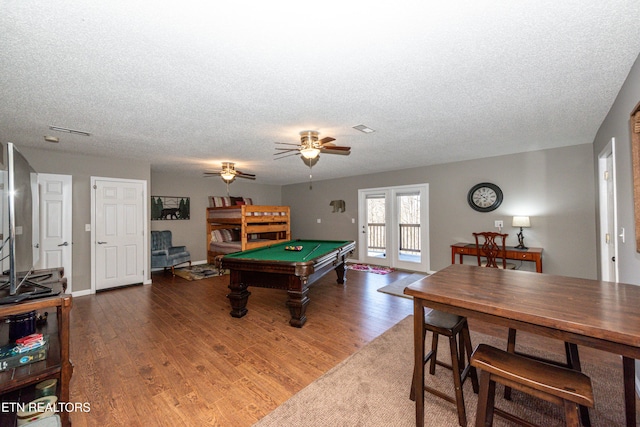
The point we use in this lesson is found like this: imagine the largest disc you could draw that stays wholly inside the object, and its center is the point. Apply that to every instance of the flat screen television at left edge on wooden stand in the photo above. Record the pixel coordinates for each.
(20, 242)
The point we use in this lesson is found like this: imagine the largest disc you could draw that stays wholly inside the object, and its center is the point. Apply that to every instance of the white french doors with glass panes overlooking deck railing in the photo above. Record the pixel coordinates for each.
(394, 227)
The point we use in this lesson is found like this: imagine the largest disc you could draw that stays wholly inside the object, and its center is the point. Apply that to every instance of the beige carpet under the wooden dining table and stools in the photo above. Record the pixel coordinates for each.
(371, 388)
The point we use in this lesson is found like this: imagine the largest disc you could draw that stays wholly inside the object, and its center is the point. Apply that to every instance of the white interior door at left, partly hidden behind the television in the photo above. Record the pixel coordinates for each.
(56, 224)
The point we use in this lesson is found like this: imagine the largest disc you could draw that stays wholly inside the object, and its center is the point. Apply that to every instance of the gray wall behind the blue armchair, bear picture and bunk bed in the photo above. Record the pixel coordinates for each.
(192, 232)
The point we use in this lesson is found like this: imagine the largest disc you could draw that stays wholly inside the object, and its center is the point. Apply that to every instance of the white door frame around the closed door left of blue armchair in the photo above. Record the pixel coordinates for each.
(145, 226)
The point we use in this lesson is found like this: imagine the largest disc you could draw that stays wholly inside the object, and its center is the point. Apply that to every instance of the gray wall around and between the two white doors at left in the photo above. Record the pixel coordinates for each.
(82, 168)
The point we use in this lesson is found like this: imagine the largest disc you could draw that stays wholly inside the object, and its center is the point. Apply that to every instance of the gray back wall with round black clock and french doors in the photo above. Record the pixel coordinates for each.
(554, 187)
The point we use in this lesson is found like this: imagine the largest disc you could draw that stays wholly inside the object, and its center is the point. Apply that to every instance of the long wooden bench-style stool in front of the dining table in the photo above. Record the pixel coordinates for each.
(555, 384)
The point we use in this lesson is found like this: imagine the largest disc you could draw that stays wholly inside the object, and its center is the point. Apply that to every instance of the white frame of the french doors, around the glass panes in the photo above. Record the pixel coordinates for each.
(391, 218)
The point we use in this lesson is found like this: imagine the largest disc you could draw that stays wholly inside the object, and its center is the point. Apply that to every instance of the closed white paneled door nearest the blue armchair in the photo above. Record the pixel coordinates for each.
(119, 230)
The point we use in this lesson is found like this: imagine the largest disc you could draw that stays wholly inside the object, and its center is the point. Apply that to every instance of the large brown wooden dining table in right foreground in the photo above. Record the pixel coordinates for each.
(593, 313)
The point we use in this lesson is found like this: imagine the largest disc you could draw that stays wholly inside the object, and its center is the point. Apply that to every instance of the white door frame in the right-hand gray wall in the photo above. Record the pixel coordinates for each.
(608, 216)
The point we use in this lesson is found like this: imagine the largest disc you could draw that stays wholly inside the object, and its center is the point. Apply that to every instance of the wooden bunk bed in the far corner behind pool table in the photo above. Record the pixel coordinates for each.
(238, 228)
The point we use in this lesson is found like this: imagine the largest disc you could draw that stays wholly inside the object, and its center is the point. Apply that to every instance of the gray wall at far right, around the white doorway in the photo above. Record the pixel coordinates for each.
(616, 125)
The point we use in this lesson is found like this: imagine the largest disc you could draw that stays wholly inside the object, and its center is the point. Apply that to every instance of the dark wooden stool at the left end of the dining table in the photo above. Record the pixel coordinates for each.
(456, 329)
